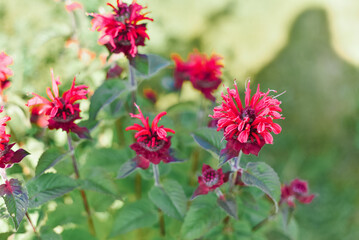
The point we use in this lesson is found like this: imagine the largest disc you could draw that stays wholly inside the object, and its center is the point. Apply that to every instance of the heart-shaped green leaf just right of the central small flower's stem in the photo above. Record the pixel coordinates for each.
(171, 199)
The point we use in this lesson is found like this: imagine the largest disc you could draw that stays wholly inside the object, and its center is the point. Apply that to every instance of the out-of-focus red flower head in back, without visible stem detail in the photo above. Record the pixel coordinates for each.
(203, 72)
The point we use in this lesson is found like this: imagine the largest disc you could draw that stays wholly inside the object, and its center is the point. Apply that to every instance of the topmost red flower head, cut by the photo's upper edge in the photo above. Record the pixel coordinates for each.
(120, 29)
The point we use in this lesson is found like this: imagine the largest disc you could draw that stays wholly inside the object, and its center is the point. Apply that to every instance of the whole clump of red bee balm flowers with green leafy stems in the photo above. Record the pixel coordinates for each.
(122, 168)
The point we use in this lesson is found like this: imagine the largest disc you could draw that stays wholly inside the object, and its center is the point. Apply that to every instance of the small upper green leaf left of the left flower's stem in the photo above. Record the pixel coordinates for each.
(49, 159)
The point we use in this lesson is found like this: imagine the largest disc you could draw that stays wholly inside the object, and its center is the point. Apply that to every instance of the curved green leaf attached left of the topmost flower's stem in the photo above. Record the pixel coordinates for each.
(107, 93)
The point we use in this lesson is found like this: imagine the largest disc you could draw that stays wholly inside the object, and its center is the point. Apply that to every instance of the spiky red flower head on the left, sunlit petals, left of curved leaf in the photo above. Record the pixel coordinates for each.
(61, 112)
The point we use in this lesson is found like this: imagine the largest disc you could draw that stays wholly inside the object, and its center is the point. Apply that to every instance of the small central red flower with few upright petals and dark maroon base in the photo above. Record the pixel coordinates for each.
(152, 143)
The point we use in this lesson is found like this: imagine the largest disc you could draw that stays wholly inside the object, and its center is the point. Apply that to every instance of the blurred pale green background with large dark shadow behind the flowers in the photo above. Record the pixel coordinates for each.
(307, 48)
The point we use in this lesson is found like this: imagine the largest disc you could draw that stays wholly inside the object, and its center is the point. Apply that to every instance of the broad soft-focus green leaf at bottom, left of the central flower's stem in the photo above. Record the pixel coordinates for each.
(132, 216)
